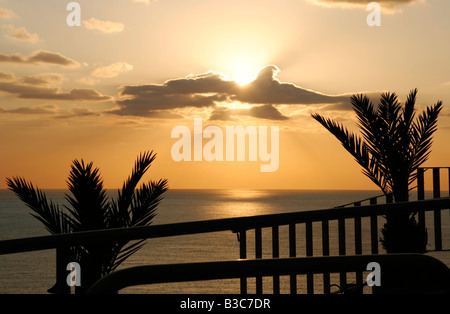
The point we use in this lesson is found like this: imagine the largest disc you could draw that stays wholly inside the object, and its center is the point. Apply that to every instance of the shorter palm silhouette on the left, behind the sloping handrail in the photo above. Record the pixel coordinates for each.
(90, 209)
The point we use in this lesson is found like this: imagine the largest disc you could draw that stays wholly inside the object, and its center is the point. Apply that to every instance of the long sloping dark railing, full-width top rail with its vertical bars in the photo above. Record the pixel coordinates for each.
(242, 226)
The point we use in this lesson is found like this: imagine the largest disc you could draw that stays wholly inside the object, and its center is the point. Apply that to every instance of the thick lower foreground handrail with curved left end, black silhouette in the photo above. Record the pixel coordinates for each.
(437, 273)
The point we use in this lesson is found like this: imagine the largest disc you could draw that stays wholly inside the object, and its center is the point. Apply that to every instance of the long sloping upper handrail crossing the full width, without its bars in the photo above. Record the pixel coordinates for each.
(225, 224)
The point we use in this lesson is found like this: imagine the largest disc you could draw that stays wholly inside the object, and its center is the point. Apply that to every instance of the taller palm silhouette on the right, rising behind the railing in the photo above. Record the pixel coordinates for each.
(394, 144)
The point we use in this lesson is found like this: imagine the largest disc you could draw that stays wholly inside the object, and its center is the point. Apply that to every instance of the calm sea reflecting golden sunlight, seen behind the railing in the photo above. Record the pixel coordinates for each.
(34, 272)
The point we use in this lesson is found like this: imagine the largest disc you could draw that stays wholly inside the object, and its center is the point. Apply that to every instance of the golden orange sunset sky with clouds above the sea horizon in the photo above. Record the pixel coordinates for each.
(133, 70)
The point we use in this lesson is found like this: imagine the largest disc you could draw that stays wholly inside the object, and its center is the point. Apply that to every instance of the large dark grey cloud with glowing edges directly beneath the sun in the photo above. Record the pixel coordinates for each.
(217, 91)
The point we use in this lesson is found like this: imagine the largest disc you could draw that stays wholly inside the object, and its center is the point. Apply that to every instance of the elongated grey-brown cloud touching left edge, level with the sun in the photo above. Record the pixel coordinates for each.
(39, 57)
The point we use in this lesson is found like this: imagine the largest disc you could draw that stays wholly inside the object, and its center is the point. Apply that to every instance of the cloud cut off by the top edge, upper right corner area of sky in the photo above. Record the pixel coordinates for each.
(388, 5)
